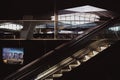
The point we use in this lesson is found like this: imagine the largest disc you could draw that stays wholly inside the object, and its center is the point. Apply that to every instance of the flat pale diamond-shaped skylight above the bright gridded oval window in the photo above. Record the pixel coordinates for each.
(86, 8)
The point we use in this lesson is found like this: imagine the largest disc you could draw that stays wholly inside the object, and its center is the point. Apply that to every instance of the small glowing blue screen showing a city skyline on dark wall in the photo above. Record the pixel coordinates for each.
(13, 55)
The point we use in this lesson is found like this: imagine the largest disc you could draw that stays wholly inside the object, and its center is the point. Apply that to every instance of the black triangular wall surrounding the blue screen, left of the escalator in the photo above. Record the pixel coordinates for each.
(32, 50)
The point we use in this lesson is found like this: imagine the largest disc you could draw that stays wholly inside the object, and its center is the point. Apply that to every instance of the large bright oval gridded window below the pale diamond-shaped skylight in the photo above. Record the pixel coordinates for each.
(77, 18)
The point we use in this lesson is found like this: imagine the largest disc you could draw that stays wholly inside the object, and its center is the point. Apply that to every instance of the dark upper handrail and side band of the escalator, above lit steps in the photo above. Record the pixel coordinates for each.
(62, 47)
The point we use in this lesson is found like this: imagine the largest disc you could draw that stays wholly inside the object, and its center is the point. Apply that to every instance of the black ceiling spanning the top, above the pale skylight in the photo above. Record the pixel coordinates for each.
(16, 9)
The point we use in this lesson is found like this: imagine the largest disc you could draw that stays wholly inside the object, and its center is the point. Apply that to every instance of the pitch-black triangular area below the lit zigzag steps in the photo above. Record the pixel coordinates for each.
(104, 66)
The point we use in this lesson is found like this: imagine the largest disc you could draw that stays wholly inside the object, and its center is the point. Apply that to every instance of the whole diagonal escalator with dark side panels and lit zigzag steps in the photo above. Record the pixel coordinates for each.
(70, 55)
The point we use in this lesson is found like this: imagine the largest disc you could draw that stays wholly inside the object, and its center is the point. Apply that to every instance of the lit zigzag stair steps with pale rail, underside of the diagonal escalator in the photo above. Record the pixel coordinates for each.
(74, 61)
